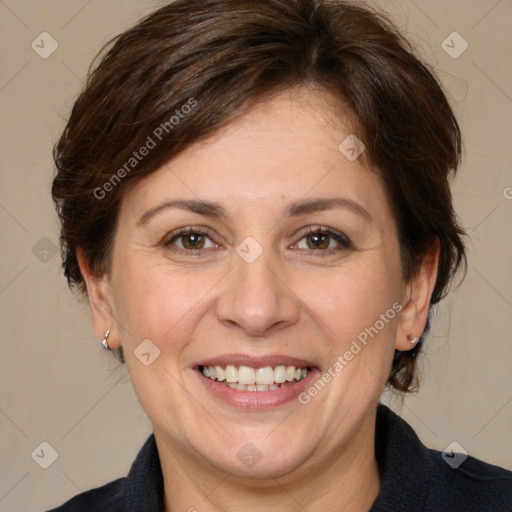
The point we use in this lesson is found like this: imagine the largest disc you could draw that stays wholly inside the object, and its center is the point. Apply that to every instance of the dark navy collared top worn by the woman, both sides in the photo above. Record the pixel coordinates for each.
(413, 477)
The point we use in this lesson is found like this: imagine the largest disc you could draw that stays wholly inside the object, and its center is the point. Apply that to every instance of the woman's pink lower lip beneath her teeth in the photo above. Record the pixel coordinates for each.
(257, 399)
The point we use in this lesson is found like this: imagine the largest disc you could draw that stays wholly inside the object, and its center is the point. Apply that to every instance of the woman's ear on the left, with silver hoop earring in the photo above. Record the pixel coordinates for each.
(100, 301)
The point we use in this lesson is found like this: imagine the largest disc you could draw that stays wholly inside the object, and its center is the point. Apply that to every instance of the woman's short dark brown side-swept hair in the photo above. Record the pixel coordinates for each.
(225, 55)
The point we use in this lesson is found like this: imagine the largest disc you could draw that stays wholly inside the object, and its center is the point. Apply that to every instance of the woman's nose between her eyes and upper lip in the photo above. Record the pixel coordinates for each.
(255, 298)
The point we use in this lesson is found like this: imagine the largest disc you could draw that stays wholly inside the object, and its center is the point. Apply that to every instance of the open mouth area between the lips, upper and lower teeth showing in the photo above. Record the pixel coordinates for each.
(246, 378)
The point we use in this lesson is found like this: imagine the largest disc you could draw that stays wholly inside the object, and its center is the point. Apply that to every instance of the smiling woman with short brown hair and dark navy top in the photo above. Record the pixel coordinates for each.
(255, 198)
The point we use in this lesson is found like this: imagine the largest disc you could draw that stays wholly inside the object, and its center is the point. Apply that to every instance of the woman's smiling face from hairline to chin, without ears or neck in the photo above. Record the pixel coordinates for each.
(289, 258)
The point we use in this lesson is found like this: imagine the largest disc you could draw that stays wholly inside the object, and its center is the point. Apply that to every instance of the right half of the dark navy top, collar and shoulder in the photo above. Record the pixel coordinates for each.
(416, 478)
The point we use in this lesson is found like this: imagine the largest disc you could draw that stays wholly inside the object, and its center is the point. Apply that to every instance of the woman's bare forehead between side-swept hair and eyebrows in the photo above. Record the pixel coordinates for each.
(285, 148)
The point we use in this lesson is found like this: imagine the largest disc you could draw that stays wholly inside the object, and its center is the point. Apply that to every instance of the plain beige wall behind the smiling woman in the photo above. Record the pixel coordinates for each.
(58, 386)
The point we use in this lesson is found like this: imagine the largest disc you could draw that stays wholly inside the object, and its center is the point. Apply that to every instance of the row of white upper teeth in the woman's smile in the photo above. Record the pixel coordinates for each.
(247, 375)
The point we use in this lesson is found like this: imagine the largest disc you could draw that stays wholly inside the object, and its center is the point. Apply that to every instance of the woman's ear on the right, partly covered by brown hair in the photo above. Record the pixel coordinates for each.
(416, 300)
